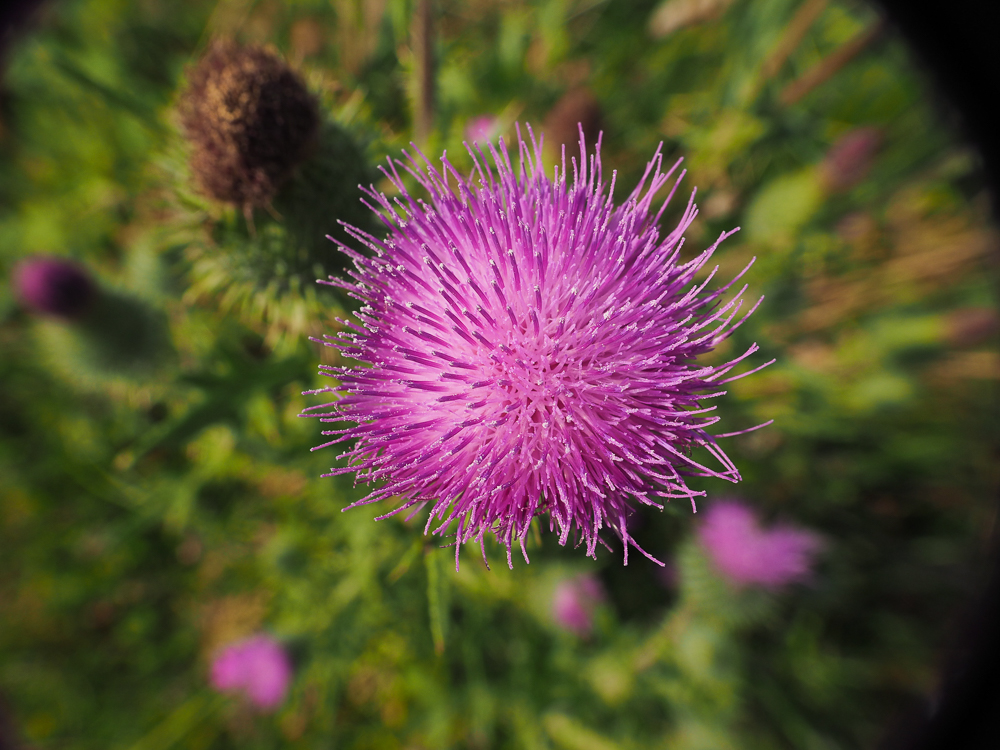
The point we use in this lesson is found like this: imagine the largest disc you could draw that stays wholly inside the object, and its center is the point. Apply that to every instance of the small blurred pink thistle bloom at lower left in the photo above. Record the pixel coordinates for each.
(258, 667)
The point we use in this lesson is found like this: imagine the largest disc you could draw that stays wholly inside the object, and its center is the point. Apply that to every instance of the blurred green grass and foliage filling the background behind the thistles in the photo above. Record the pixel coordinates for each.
(149, 518)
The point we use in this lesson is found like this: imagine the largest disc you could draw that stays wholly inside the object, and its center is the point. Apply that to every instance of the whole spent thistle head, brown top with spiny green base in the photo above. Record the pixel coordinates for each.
(257, 138)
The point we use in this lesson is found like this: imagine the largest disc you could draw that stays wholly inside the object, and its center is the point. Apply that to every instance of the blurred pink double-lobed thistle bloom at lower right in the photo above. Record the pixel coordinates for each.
(744, 553)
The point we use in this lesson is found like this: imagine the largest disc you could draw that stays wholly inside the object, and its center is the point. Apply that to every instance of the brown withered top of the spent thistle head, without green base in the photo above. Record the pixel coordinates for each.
(249, 119)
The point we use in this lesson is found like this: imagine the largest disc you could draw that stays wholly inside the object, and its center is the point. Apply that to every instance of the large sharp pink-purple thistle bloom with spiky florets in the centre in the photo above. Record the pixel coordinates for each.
(527, 348)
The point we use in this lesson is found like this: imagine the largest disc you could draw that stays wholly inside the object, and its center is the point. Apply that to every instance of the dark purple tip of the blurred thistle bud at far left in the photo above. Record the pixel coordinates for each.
(54, 286)
